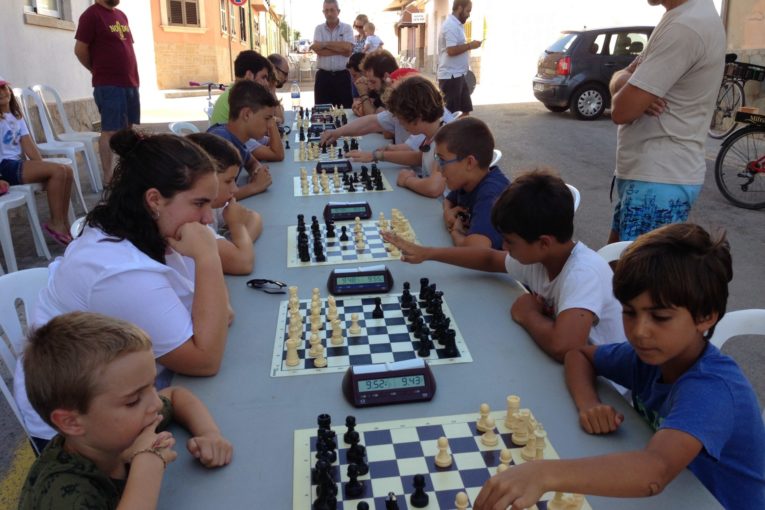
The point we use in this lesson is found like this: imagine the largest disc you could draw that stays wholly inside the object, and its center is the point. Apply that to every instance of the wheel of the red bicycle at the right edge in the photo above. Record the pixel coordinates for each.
(740, 168)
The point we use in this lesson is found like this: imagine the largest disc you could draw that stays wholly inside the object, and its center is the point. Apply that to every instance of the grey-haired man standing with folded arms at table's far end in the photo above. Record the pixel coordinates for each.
(333, 43)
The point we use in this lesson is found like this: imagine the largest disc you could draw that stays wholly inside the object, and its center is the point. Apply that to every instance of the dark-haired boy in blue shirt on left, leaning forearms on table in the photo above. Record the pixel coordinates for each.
(251, 110)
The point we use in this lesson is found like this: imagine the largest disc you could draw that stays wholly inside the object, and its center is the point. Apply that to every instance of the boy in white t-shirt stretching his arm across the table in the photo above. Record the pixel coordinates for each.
(570, 300)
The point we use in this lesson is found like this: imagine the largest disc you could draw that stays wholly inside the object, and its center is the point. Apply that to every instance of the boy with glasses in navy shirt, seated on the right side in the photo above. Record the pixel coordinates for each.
(464, 149)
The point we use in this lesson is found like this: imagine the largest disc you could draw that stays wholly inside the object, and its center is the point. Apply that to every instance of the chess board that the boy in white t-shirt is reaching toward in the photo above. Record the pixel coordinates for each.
(341, 252)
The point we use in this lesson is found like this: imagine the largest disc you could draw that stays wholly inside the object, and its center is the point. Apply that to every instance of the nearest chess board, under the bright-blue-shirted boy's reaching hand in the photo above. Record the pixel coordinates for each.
(398, 450)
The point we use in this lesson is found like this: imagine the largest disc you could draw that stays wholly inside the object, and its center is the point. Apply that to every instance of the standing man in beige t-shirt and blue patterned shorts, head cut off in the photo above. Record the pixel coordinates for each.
(663, 103)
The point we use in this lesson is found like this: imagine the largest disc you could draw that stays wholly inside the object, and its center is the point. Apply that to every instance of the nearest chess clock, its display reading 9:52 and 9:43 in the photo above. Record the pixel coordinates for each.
(389, 383)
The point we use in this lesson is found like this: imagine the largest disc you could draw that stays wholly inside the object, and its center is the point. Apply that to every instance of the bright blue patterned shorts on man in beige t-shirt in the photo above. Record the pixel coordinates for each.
(644, 206)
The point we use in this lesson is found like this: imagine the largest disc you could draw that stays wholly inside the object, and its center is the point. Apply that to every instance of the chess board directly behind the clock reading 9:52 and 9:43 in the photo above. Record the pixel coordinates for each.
(380, 341)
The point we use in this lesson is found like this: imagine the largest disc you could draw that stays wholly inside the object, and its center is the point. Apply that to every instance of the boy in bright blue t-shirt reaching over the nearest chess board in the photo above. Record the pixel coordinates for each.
(673, 286)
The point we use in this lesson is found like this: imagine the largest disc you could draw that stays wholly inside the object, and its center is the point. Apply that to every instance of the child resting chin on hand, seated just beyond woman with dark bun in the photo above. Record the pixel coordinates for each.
(244, 226)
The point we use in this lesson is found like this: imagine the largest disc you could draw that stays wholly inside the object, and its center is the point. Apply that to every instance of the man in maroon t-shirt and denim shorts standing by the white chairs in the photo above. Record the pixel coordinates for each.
(105, 47)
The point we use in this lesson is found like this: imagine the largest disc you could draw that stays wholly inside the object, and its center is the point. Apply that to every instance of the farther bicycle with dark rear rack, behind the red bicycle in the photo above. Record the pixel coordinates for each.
(731, 96)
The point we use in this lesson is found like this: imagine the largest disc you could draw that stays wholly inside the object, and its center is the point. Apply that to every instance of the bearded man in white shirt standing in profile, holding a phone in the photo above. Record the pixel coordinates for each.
(454, 58)
